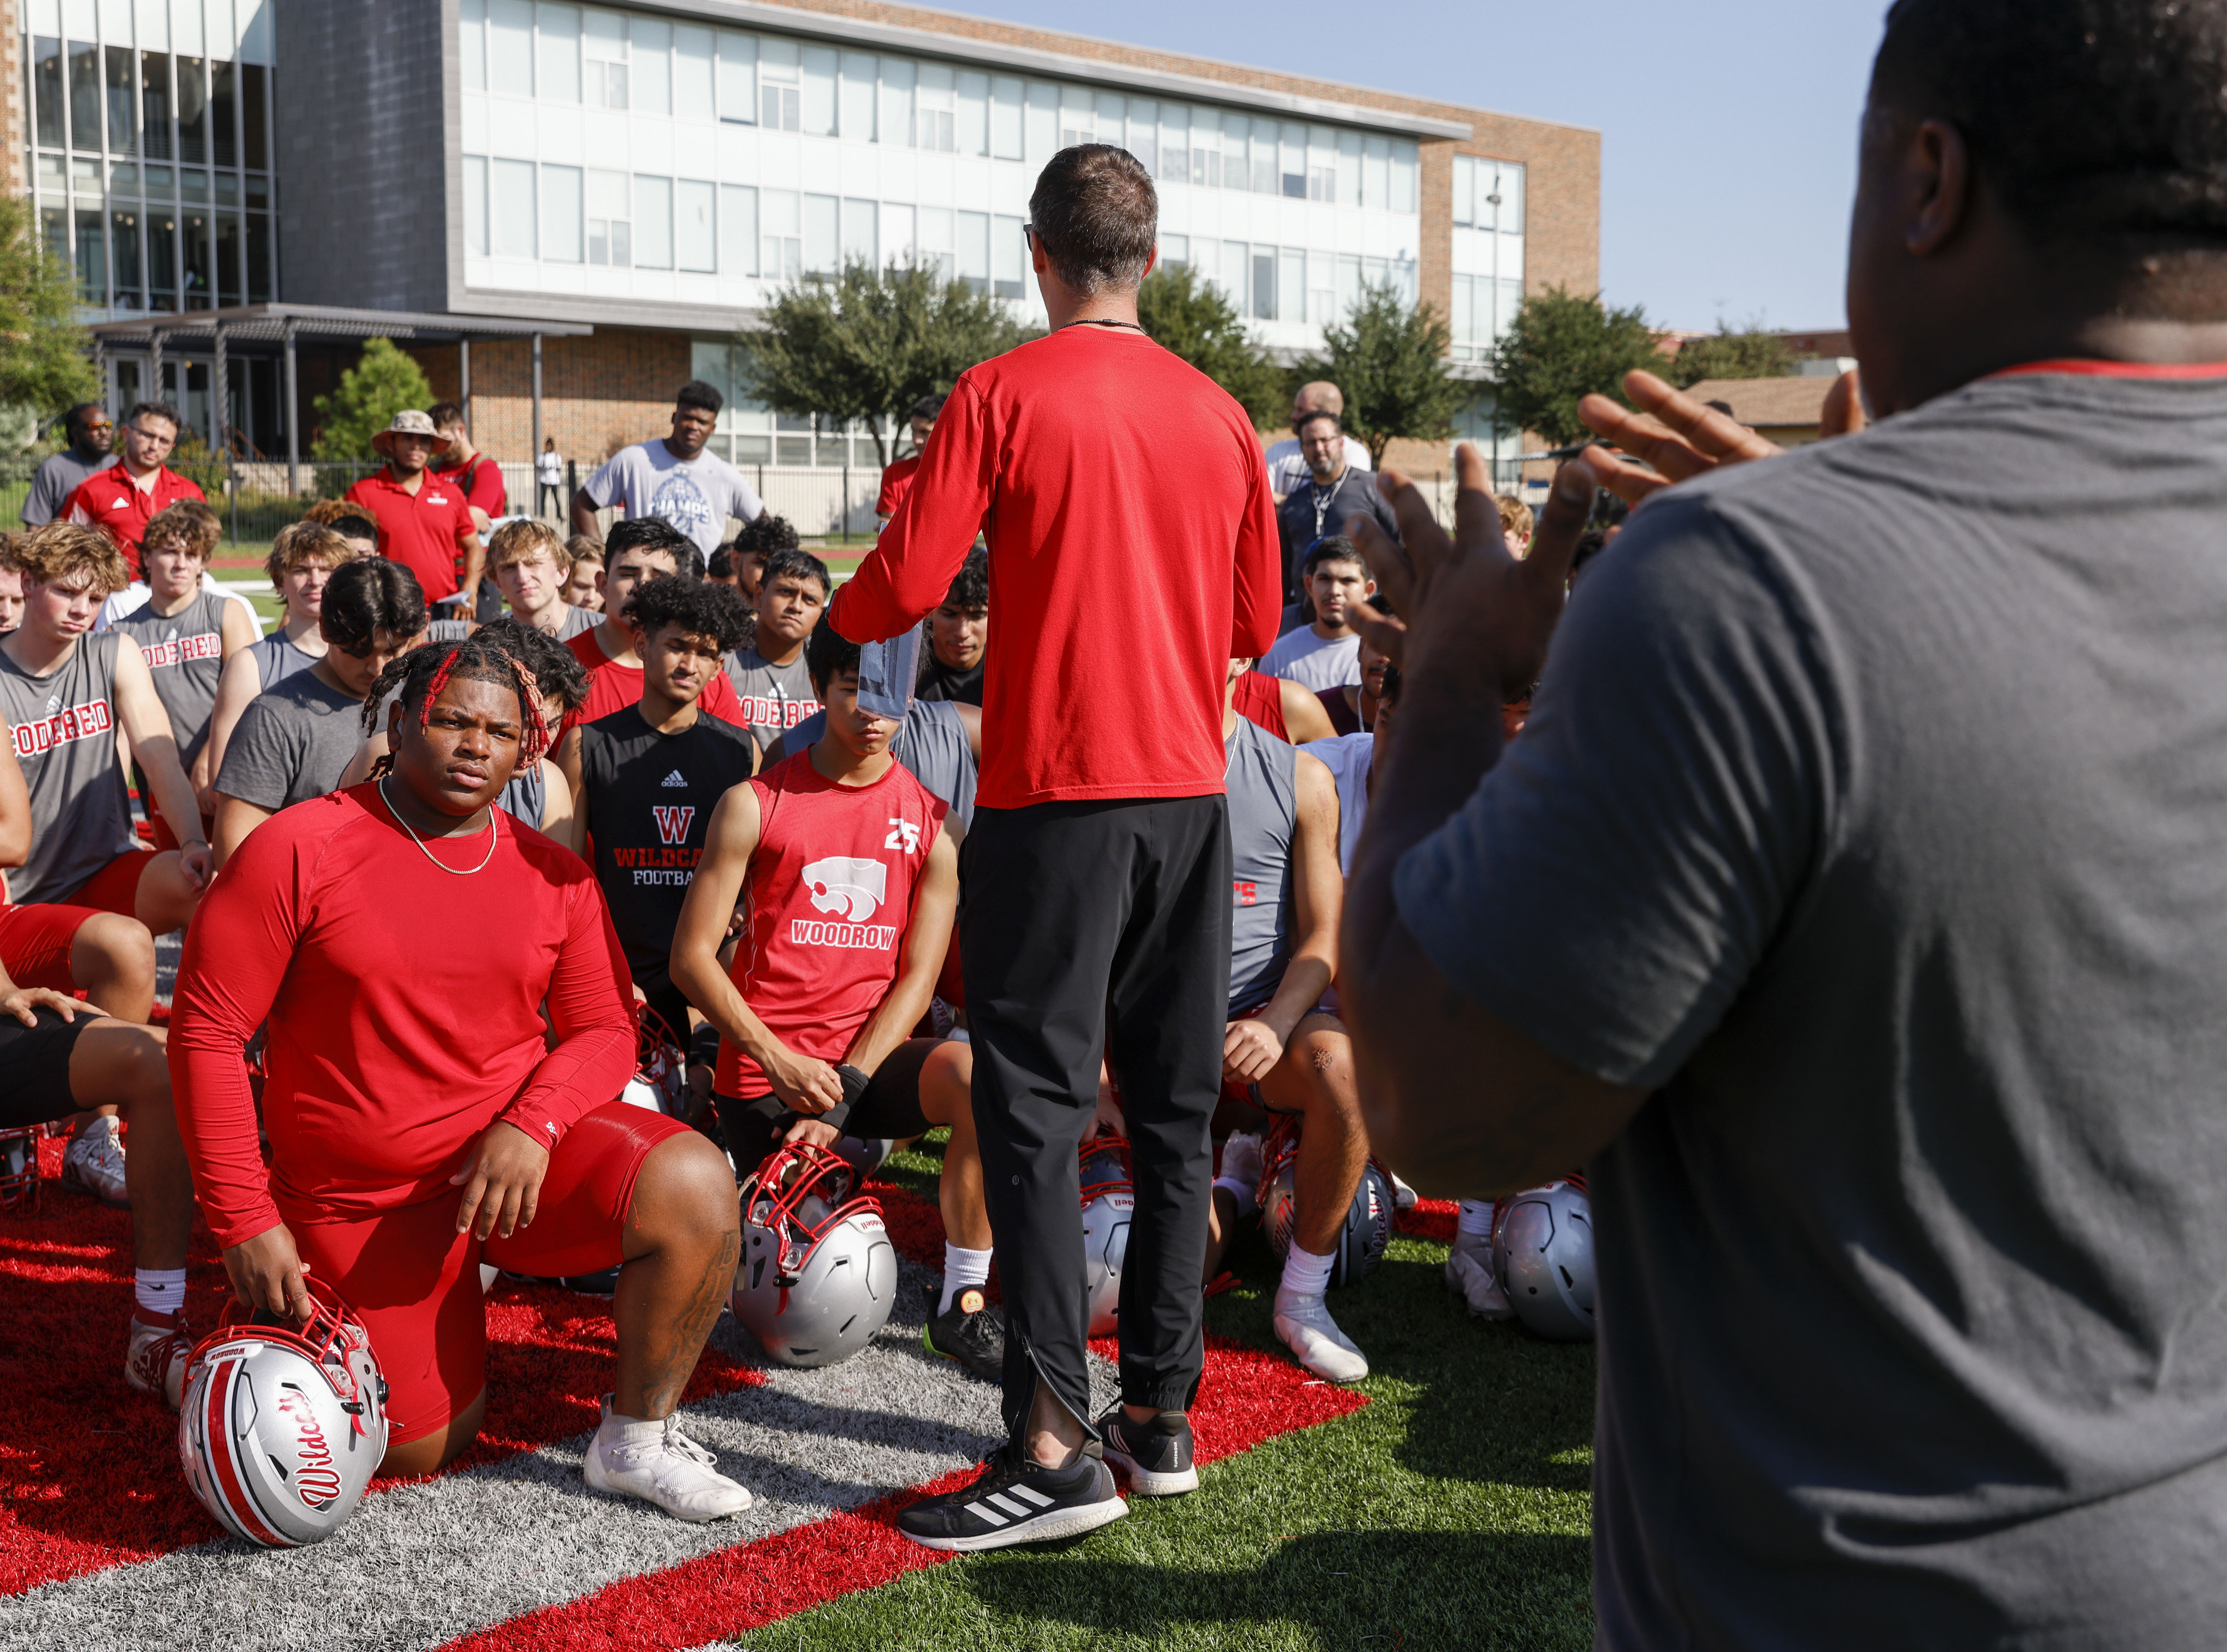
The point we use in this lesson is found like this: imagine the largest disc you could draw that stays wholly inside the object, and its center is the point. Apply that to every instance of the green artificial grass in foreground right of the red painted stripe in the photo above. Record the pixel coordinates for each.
(1449, 1513)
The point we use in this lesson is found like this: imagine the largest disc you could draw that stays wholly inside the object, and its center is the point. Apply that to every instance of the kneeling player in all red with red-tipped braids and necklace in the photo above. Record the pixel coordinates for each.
(406, 1065)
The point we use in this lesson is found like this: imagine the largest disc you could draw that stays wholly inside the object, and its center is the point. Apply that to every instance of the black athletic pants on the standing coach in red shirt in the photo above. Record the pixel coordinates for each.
(1083, 930)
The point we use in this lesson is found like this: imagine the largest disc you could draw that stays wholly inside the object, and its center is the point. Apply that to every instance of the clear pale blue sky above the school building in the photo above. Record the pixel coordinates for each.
(1727, 126)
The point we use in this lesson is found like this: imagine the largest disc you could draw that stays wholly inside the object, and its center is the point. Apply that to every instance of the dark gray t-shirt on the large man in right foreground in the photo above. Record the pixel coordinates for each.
(1874, 814)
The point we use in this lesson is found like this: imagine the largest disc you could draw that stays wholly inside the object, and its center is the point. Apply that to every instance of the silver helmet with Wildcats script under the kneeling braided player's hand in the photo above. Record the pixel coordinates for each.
(282, 1428)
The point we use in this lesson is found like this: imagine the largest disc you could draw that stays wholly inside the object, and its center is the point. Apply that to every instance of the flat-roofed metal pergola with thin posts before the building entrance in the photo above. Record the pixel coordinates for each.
(291, 324)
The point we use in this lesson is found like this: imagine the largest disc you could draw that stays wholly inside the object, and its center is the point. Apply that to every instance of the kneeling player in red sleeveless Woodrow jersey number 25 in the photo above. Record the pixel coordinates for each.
(852, 883)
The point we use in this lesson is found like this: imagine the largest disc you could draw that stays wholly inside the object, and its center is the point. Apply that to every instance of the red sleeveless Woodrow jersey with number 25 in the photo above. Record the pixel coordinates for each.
(830, 901)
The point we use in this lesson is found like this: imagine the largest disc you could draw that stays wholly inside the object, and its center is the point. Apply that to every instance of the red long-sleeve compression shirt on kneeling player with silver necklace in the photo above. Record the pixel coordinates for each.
(391, 1045)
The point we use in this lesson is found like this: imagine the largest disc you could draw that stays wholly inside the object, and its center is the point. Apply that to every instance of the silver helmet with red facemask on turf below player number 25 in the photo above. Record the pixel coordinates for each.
(818, 1272)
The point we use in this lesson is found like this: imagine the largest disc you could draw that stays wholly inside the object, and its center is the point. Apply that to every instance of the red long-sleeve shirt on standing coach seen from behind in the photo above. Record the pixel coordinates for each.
(1132, 553)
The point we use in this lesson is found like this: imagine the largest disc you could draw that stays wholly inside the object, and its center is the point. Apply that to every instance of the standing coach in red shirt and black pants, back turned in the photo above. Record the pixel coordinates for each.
(1097, 872)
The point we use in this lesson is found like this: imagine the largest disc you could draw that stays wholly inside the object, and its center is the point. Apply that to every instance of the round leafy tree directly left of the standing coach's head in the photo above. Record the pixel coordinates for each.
(870, 344)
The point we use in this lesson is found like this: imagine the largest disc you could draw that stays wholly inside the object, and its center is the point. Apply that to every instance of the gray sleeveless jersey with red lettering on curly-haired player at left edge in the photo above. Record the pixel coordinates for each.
(66, 740)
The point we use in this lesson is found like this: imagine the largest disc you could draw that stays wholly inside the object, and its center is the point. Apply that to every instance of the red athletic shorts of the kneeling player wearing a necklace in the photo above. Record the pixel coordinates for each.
(415, 1279)
